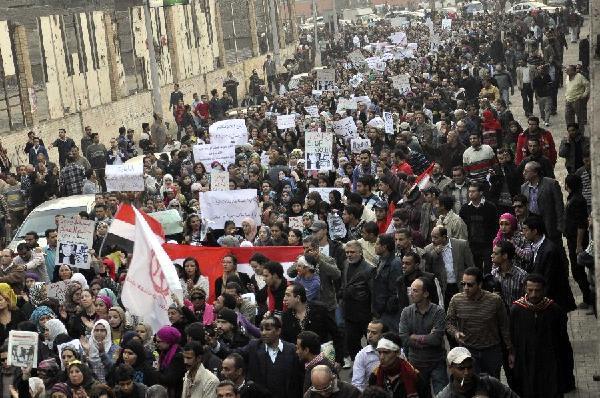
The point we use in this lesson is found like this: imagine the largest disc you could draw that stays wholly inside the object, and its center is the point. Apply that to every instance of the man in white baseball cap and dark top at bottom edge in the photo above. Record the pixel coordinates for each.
(464, 382)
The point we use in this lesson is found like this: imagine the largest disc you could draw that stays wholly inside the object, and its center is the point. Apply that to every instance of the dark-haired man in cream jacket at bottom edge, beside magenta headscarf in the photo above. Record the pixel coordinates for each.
(197, 382)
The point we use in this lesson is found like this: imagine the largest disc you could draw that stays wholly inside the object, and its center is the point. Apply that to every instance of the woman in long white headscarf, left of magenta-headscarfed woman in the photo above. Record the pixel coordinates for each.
(100, 349)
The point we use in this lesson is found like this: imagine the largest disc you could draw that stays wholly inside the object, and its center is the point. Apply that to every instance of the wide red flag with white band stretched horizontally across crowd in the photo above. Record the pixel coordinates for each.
(210, 258)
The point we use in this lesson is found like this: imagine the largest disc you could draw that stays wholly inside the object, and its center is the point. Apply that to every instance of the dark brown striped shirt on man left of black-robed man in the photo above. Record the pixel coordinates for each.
(483, 320)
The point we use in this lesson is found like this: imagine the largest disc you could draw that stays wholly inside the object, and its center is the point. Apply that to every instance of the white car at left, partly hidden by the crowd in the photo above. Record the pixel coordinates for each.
(42, 217)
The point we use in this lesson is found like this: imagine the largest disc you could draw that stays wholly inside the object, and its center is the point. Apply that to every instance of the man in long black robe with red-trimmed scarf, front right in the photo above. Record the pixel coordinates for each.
(544, 357)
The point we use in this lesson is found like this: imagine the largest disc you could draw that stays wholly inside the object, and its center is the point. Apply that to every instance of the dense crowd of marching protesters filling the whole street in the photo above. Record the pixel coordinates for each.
(442, 244)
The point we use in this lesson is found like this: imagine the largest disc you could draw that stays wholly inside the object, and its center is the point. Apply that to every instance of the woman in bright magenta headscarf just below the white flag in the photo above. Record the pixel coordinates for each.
(170, 360)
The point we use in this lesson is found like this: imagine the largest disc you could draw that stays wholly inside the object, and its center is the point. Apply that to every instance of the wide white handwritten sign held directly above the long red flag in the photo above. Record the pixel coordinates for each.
(220, 206)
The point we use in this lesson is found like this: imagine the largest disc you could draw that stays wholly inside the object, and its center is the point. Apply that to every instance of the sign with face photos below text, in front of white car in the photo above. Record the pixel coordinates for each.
(75, 238)
